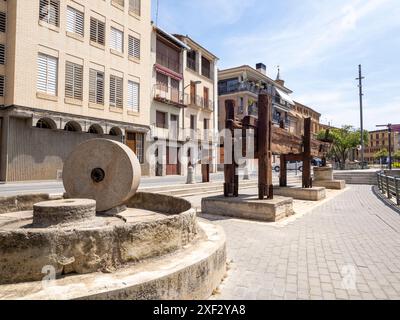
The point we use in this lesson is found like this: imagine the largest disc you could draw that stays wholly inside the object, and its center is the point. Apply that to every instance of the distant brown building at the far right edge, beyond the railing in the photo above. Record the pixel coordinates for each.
(379, 140)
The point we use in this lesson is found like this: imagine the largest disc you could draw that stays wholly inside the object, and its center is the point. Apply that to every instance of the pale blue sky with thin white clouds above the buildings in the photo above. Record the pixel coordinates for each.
(317, 43)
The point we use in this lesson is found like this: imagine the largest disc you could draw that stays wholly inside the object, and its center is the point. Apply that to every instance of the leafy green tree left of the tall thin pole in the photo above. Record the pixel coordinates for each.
(344, 140)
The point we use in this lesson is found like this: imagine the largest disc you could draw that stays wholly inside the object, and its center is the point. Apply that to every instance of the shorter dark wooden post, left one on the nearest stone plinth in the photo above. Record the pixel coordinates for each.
(231, 185)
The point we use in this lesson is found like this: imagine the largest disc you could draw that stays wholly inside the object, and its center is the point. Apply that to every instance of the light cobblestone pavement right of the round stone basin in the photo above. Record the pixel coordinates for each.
(347, 248)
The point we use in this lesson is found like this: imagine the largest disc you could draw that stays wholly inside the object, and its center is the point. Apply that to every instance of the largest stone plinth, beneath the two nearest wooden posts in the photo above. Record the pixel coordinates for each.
(249, 207)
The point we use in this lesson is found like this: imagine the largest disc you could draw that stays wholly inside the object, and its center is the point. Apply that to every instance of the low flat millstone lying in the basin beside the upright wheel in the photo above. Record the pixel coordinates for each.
(51, 213)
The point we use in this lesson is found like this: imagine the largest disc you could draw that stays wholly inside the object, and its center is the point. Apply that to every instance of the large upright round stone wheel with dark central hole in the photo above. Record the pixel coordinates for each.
(103, 170)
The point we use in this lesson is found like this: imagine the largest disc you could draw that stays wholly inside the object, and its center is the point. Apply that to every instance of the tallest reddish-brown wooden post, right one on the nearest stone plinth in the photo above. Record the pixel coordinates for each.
(265, 186)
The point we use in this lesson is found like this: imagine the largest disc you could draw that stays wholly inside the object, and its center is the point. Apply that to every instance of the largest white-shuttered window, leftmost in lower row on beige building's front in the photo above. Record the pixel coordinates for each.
(47, 74)
